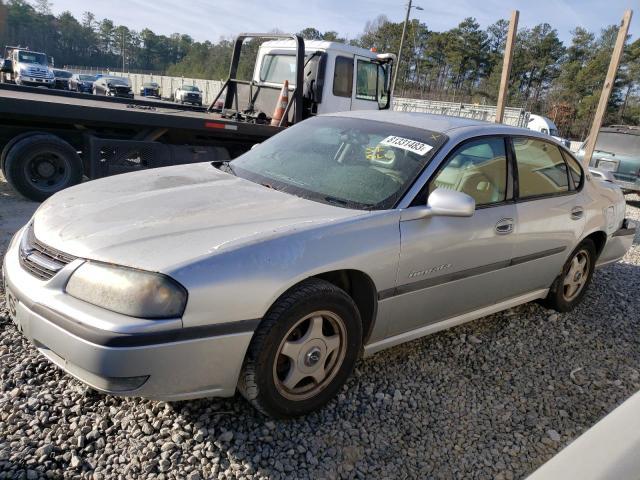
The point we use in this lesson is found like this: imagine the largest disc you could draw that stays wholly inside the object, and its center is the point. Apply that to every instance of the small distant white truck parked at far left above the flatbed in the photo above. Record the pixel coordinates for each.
(25, 67)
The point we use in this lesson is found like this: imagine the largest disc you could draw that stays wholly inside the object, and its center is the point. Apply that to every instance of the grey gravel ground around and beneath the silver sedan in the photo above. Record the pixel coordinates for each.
(495, 398)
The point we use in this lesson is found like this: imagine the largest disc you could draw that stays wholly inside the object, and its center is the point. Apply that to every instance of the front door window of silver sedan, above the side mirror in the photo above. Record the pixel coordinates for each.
(477, 168)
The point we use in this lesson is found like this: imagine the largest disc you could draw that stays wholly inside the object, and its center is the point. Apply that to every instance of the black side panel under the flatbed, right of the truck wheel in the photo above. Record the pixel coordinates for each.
(111, 157)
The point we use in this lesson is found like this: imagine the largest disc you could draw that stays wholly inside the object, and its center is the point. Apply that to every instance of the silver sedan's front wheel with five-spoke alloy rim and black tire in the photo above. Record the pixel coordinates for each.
(266, 368)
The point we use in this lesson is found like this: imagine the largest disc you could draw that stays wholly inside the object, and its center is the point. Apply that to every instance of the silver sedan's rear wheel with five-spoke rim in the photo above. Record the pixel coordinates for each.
(562, 297)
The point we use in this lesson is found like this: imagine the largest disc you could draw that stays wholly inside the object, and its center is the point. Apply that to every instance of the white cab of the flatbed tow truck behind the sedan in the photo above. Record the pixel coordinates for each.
(337, 77)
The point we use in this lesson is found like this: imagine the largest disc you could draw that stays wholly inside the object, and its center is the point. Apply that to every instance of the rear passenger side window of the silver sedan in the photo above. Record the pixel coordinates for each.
(541, 168)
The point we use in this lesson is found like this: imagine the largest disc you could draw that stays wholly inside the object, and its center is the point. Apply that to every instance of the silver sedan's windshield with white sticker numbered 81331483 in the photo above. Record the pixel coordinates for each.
(348, 162)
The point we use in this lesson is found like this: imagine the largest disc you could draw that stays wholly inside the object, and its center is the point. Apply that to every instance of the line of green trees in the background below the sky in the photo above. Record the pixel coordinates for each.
(461, 64)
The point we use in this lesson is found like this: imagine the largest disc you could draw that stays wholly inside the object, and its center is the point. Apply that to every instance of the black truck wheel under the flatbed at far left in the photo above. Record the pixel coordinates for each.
(40, 165)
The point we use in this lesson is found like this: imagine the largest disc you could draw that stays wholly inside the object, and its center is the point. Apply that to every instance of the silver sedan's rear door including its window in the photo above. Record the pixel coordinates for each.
(549, 212)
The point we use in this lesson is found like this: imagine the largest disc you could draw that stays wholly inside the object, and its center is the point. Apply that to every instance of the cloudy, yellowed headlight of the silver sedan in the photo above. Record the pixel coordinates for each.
(128, 291)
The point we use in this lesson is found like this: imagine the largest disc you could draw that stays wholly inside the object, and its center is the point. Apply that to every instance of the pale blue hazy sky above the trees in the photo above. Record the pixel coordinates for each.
(214, 19)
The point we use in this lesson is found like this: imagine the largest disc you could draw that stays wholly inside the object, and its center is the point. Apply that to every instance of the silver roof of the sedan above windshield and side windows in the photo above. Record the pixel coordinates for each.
(437, 123)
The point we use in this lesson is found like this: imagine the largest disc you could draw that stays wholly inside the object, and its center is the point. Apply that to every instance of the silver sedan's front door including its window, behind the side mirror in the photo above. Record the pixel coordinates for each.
(452, 265)
